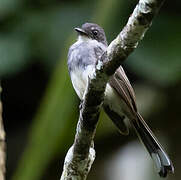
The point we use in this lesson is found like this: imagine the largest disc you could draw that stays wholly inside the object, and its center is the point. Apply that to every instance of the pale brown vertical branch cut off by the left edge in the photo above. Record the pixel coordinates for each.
(2, 145)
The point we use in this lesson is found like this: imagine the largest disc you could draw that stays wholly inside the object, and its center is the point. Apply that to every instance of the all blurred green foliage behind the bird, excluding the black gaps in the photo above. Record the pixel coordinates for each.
(41, 32)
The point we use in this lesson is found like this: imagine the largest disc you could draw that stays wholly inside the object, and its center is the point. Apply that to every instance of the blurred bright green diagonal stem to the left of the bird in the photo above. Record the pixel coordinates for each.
(54, 113)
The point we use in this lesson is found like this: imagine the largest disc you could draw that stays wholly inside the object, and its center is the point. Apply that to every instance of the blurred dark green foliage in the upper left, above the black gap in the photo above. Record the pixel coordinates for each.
(35, 33)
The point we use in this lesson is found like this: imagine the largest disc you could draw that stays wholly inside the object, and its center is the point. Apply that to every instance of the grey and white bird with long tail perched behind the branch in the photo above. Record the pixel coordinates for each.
(119, 101)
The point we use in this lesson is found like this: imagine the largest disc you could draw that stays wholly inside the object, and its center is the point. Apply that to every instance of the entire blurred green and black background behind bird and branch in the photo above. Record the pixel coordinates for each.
(41, 108)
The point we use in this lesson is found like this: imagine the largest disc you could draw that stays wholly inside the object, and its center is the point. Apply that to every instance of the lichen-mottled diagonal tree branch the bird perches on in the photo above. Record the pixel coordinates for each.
(81, 155)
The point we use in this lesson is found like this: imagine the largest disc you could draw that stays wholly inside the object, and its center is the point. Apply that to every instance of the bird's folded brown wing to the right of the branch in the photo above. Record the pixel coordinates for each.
(122, 86)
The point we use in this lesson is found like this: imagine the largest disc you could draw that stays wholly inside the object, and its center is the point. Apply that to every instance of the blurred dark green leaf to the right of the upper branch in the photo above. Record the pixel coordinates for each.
(158, 56)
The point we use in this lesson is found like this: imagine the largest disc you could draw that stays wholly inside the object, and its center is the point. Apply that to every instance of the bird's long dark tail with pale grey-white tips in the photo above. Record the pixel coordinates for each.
(159, 156)
